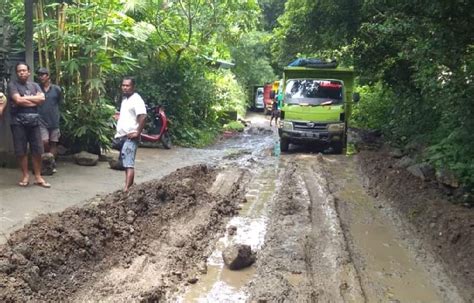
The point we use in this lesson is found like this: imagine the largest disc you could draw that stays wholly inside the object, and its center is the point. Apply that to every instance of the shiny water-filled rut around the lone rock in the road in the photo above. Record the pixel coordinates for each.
(220, 284)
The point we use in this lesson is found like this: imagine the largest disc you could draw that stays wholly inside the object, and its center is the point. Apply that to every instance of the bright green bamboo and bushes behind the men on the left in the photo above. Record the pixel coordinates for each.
(163, 42)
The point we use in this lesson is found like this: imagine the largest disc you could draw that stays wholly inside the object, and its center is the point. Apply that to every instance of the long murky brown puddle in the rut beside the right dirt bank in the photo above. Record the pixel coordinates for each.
(388, 269)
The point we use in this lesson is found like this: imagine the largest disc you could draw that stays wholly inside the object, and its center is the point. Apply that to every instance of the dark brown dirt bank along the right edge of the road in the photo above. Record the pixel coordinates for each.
(446, 227)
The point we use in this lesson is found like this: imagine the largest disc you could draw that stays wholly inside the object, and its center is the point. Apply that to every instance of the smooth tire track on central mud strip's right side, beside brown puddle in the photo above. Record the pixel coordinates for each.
(333, 271)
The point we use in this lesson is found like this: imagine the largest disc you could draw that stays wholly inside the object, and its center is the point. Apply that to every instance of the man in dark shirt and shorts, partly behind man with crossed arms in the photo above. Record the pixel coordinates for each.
(49, 112)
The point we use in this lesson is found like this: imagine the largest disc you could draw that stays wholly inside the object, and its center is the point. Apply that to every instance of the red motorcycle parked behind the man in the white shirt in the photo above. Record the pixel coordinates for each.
(158, 131)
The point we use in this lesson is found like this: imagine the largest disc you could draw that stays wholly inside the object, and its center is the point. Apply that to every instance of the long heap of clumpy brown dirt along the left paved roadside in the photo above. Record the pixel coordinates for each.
(56, 255)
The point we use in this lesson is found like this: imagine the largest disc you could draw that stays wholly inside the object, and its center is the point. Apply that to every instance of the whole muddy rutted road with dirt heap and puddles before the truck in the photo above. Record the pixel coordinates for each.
(320, 235)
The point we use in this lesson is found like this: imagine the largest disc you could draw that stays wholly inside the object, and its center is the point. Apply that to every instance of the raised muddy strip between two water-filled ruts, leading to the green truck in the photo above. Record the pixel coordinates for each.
(304, 258)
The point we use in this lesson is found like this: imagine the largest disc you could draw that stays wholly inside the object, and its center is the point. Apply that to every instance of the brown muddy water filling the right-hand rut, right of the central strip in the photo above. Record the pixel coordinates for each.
(389, 268)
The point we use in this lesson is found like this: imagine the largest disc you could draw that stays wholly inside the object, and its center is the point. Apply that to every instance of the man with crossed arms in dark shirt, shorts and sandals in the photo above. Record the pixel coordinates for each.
(25, 97)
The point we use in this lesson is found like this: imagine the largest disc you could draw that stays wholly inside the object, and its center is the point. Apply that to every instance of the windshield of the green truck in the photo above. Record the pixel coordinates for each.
(313, 92)
